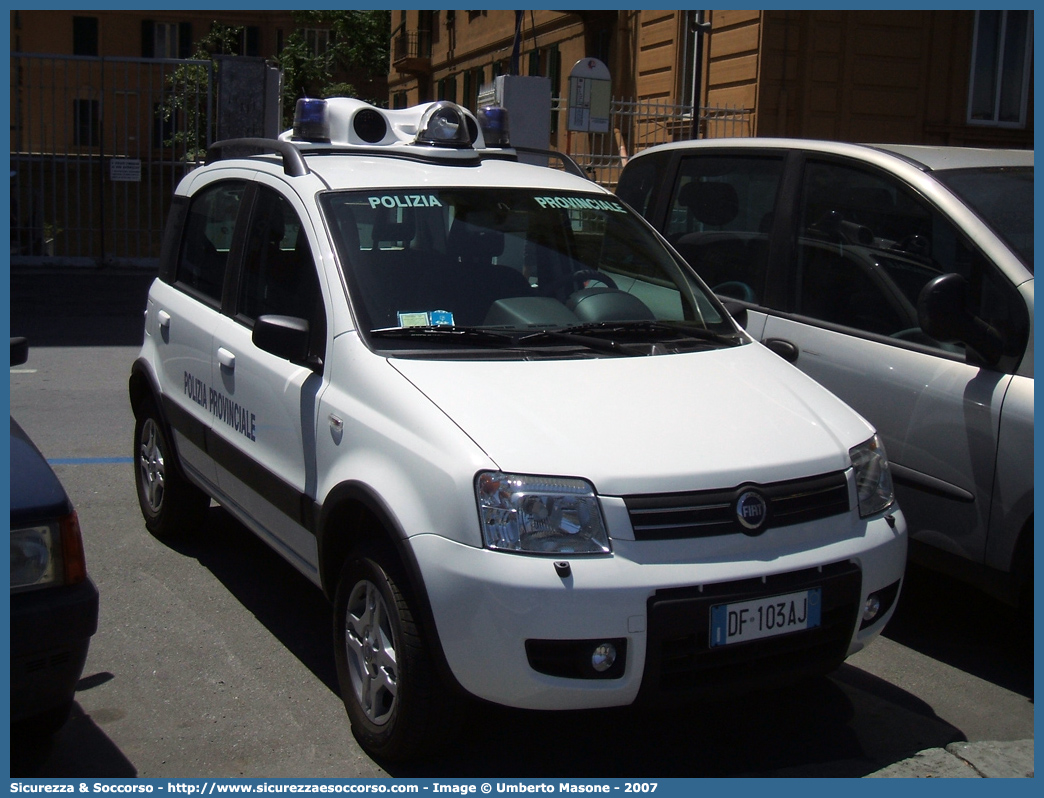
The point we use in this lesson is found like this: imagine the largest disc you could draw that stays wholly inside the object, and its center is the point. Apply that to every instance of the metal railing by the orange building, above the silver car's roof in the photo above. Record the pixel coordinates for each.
(634, 126)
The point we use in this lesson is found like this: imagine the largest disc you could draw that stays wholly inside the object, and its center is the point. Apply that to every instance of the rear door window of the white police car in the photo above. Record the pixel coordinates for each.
(207, 240)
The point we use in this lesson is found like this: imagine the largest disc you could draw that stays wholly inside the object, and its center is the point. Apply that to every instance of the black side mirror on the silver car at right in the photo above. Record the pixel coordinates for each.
(942, 310)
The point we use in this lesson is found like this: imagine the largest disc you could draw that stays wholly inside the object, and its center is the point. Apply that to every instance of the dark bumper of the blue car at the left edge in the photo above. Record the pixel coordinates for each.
(51, 635)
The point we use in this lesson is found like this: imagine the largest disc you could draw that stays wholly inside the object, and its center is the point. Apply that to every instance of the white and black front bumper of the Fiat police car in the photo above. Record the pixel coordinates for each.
(655, 599)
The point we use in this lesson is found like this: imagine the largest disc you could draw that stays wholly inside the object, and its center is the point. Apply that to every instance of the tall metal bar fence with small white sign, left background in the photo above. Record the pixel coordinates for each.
(98, 146)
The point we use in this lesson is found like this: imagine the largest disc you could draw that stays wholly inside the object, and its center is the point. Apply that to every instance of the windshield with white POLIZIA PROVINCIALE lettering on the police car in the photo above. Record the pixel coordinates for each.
(515, 270)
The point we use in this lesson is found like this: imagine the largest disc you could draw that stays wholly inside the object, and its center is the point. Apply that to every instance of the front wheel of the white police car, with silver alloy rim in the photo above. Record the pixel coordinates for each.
(396, 703)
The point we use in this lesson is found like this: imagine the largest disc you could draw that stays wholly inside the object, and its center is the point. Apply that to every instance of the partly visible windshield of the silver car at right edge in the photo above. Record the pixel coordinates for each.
(1004, 198)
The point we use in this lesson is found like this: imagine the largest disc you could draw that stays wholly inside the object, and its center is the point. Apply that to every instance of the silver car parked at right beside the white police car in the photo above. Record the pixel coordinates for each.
(903, 279)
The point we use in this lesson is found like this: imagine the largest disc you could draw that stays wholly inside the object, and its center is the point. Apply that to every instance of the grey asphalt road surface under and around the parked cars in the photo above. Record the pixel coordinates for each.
(213, 660)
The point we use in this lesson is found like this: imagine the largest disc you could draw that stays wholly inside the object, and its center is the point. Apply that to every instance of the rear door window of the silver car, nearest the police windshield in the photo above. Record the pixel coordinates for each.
(721, 214)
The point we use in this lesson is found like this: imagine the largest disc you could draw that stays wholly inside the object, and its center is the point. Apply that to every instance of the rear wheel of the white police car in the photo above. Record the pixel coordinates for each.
(173, 507)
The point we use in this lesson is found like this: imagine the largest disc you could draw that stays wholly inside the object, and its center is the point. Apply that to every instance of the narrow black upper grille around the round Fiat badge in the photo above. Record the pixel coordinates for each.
(700, 514)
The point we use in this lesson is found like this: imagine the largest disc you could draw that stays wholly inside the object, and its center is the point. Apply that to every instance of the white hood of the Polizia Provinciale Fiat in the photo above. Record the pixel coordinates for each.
(713, 419)
